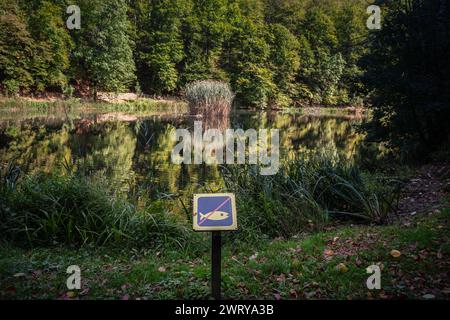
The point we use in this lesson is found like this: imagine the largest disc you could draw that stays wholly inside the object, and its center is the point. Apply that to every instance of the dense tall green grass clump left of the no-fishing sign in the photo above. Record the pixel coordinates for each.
(49, 209)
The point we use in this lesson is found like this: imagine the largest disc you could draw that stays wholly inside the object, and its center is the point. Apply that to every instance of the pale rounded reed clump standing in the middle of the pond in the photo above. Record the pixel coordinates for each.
(208, 95)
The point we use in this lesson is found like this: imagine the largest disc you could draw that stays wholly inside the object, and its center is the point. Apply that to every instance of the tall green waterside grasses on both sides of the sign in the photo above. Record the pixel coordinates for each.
(305, 195)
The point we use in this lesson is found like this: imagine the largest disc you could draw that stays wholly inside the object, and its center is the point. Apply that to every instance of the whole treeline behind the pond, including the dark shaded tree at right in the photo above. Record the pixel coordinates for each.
(271, 52)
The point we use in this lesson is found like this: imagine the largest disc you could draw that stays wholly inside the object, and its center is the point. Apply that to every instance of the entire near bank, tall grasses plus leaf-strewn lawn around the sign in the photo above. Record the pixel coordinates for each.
(308, 232)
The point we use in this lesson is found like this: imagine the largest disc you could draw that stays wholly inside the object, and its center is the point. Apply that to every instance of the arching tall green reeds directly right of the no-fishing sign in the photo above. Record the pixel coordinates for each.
(305, 194)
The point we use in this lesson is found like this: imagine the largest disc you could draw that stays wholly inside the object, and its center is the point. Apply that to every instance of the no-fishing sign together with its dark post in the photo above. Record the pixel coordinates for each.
(215, 213)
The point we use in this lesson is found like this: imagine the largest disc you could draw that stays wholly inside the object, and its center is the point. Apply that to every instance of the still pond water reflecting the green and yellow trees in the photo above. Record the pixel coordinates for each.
(133, 152)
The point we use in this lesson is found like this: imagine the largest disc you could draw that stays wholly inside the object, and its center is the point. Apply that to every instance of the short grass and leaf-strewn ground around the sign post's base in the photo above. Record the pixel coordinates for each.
(413, 253)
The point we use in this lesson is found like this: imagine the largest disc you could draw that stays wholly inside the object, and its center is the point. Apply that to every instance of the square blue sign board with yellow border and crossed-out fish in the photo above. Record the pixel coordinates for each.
(214, 212)
